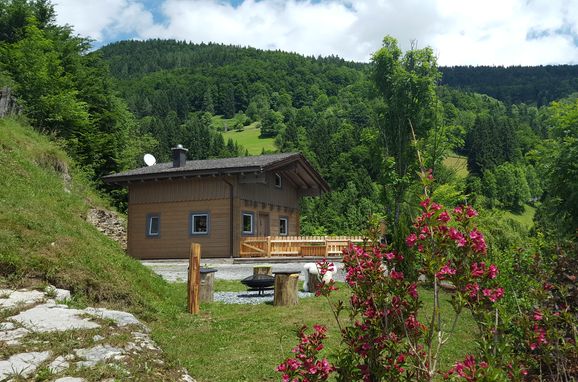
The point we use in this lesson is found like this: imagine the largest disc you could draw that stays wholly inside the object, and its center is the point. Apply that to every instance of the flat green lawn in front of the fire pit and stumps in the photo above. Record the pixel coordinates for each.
(228, 342)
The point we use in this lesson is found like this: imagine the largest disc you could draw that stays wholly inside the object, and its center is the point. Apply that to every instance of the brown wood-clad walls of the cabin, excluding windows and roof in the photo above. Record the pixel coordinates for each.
(175, 200)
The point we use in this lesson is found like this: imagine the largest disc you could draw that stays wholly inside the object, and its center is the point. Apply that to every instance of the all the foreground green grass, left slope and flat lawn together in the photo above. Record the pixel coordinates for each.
(44, 238)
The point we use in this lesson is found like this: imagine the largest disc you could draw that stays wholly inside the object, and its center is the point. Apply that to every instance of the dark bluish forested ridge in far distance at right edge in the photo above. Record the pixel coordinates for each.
(537, 85)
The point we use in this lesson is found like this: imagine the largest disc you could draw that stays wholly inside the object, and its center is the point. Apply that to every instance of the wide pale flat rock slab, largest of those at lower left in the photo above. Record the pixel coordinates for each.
(52, 318)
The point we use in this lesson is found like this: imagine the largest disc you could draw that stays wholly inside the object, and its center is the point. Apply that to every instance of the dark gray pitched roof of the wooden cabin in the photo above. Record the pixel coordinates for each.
(213, 167)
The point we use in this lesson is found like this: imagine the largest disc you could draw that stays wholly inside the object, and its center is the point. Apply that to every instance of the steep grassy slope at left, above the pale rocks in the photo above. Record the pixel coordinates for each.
(44, 236)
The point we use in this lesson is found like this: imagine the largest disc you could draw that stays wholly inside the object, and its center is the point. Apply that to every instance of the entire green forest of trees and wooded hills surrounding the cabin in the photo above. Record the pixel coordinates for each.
(353, 121)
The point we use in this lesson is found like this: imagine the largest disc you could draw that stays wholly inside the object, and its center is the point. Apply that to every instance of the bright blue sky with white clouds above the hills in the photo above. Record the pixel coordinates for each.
(461, 32)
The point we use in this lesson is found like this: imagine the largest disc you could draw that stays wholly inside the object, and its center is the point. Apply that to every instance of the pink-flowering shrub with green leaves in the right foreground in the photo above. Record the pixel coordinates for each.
(385, 341)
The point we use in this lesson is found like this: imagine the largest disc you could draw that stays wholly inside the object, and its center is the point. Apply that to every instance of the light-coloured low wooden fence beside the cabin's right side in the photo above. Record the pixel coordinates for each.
(267, 246)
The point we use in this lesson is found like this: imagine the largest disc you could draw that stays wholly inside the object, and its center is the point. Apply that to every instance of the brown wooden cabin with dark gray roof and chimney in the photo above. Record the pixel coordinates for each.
(214, 202)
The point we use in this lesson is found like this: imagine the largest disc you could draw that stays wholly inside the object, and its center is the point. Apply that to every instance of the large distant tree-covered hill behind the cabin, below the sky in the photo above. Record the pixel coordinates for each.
(158, 76)
